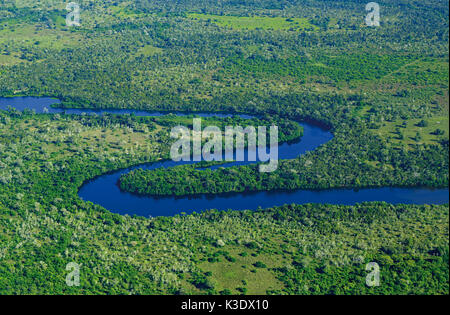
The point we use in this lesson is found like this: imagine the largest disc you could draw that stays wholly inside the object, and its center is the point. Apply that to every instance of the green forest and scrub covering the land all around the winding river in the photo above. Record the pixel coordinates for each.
(382, 92)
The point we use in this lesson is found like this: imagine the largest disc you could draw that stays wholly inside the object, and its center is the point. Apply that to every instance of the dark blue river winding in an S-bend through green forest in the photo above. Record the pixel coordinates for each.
(105, 192)
